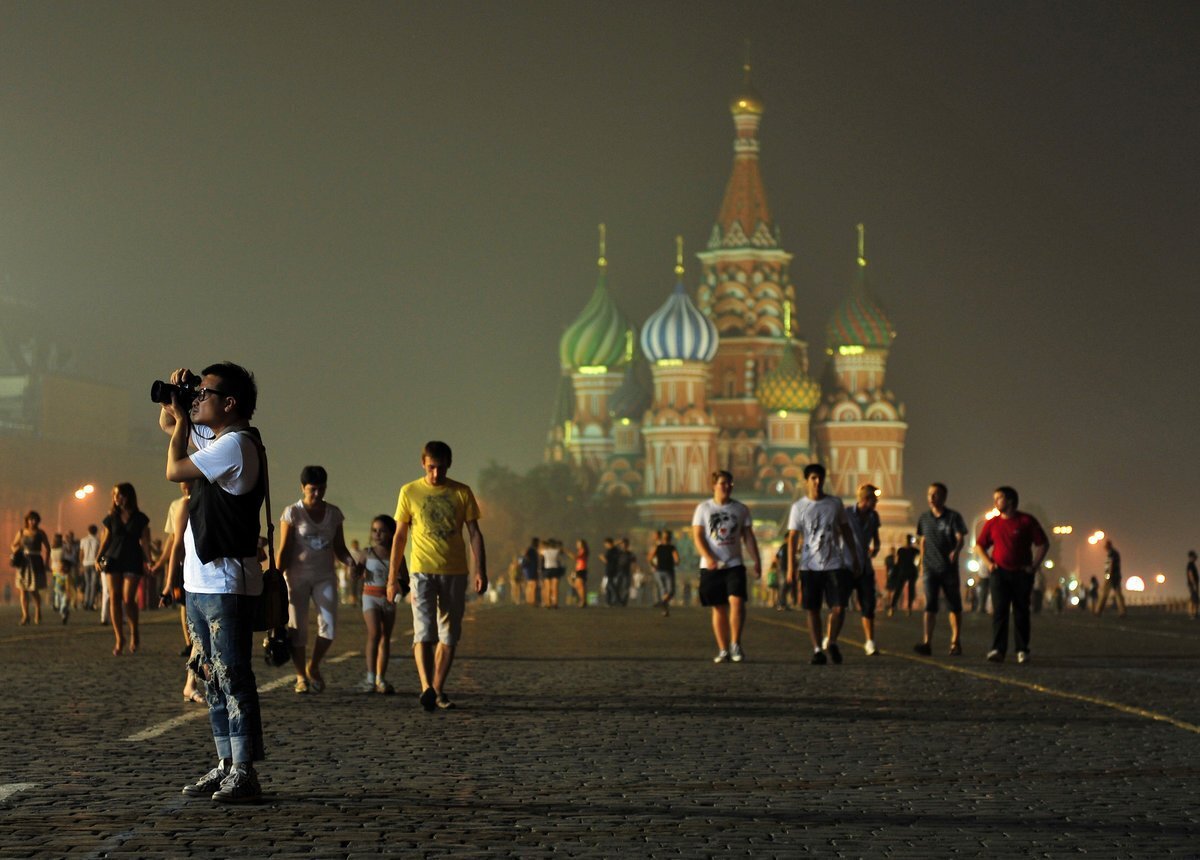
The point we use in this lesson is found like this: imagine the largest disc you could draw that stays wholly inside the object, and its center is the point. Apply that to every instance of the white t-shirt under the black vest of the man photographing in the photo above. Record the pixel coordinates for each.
(232, 464)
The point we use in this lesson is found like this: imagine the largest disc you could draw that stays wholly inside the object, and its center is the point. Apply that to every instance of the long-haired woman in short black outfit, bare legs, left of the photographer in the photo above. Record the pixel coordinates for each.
(125, 556)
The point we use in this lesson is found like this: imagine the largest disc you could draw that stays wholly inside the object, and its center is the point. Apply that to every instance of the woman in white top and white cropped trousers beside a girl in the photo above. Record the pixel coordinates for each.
(310, 540)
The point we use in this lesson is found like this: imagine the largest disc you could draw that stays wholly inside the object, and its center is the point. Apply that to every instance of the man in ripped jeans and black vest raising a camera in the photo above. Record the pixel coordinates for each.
(223, 576)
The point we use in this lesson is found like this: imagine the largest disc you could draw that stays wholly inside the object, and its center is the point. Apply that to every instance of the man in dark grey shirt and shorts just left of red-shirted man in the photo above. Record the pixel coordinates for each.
(941, 533)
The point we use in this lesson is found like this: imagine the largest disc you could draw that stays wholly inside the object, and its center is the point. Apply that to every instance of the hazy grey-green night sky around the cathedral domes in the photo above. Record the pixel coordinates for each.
(389, 213)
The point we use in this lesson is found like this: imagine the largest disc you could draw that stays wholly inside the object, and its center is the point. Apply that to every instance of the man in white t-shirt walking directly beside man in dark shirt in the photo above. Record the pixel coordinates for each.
(818, 528)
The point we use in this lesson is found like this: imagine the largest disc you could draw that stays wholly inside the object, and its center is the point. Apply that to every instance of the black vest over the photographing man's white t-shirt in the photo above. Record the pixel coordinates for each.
(226, 526)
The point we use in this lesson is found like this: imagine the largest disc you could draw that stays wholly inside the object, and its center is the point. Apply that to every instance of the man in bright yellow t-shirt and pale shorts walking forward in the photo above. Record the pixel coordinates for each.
(434, 512)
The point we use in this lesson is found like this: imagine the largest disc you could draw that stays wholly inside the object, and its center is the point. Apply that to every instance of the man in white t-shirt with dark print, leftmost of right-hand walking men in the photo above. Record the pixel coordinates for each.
(719, 528)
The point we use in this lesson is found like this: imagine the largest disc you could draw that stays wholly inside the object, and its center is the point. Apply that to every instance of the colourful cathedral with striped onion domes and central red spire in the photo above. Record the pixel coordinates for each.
(718, 378)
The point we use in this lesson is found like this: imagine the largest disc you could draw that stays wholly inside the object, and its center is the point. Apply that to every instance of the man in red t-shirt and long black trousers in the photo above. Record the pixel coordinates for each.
(1013, 548)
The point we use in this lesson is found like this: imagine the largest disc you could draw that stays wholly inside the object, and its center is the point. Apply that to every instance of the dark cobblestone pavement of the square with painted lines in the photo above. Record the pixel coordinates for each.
(610, 732)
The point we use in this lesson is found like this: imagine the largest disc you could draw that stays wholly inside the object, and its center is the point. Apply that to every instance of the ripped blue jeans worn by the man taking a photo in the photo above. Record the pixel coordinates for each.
(220, 626)
